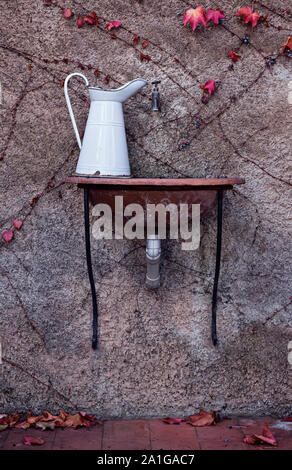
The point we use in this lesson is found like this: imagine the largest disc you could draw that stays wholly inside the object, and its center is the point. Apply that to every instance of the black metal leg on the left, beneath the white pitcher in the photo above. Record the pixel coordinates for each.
(89, 267)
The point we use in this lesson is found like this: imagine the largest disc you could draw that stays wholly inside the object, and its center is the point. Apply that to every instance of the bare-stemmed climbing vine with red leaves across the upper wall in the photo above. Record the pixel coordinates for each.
(194, 20)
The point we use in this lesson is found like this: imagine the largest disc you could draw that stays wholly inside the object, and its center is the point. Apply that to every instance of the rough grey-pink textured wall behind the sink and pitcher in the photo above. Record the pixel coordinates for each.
(155, 355)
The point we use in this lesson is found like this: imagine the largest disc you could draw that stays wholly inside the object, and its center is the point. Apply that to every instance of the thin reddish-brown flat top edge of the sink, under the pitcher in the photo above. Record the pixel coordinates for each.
(168, 182)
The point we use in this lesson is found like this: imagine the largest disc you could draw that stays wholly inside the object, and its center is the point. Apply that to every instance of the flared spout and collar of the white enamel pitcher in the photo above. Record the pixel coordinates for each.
(119, 94)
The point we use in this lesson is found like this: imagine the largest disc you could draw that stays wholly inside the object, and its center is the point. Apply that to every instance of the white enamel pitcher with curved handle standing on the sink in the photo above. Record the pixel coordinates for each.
(104, 150)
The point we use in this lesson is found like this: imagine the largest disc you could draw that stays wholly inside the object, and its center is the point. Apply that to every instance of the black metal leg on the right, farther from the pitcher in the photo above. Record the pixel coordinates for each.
(217, 268)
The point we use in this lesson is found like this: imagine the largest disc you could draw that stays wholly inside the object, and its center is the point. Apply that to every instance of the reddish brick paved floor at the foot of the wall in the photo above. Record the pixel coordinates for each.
(152, 434)
